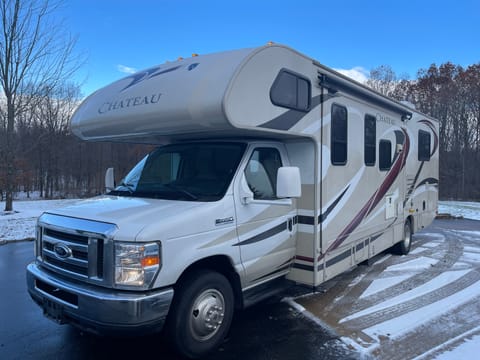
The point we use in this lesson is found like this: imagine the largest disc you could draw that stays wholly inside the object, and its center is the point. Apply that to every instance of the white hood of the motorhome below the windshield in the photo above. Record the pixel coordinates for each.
(161, 219)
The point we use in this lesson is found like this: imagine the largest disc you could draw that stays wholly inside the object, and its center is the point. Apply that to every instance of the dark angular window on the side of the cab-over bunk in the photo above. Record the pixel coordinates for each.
(291, 90)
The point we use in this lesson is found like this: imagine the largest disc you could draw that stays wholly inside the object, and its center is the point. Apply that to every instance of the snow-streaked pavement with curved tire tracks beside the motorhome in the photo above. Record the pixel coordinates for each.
(403, 307)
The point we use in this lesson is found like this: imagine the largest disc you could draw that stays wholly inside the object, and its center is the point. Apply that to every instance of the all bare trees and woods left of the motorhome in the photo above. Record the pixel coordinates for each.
(37, 151)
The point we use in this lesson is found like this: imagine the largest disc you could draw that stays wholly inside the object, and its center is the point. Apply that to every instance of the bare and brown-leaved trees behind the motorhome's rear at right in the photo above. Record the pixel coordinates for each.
(451, 94)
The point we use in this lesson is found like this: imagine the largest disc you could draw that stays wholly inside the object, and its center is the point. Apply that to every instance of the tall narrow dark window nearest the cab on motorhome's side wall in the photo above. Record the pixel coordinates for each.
(339, 135)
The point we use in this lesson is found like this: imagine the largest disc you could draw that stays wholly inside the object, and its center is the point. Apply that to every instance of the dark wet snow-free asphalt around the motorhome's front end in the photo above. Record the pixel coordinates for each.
(269, 330)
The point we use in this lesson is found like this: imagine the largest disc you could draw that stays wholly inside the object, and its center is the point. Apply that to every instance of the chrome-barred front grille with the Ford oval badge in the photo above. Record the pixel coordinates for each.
(80, 255)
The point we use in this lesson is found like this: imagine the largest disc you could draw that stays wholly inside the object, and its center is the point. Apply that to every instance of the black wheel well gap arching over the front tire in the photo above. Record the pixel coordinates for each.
(222, 265)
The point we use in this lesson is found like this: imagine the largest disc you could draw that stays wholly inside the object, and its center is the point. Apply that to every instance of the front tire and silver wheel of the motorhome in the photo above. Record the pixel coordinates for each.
(201, 313)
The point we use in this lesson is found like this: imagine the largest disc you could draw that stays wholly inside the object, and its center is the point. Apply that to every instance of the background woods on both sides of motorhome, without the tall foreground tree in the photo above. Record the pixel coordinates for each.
(53, 162)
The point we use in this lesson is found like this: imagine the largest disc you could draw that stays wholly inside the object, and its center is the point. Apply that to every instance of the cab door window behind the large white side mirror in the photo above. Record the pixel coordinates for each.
(261, 173)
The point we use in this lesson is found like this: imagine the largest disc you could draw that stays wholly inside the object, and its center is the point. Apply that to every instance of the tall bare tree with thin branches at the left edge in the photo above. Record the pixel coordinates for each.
(35, 54)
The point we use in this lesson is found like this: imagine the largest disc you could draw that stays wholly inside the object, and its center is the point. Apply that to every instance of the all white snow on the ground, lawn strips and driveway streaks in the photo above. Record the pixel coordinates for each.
(20, 225)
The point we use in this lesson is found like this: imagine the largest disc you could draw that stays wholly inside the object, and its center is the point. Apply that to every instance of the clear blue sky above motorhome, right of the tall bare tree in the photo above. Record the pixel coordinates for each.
(118, 35)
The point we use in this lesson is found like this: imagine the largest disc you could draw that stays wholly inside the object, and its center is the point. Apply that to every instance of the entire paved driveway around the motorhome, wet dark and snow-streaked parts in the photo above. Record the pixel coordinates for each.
(276, 330)
